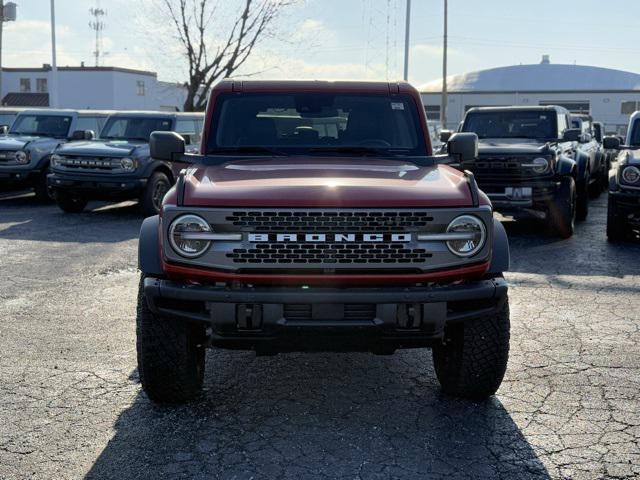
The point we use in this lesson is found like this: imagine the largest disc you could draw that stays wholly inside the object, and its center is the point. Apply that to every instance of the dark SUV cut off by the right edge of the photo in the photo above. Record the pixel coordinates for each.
(623, 213)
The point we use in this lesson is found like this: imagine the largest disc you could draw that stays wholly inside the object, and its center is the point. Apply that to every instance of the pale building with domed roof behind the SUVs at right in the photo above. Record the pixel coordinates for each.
(609, 95)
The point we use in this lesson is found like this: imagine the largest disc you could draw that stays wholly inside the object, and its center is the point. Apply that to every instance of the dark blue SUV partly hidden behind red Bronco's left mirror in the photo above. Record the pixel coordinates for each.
(117, 166)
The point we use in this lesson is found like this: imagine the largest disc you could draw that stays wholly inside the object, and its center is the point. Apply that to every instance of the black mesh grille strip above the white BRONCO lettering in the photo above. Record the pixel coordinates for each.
(311, 221)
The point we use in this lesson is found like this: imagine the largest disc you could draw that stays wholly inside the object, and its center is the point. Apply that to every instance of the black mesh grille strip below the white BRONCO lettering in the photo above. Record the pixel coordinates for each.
(329, 253)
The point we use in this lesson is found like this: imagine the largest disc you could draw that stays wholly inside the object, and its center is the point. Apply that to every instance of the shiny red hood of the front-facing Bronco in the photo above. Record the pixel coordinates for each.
(325, 182)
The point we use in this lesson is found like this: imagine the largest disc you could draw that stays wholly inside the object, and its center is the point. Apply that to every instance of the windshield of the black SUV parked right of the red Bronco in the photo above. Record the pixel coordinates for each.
(512, 124)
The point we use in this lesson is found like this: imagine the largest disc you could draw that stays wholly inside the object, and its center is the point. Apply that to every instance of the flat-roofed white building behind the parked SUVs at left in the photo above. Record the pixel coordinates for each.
(91, 87)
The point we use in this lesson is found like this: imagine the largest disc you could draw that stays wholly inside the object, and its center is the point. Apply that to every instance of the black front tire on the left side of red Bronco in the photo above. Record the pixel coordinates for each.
(171, 355)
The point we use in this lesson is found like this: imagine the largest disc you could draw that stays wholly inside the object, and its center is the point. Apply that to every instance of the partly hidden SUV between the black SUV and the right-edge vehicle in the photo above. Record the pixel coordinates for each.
(591, 148)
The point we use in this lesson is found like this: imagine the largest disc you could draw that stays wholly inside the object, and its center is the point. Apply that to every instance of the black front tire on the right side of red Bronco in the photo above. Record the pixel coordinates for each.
(473, 358)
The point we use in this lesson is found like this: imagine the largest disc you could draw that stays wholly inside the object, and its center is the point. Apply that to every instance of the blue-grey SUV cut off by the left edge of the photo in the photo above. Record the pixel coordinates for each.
(25, 152)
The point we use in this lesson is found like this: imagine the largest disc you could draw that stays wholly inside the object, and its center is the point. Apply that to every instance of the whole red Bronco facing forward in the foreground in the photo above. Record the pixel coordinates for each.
(316, 218)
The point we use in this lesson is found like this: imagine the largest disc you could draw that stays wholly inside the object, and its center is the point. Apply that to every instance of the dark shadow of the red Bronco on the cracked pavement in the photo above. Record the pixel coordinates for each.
(318, 416)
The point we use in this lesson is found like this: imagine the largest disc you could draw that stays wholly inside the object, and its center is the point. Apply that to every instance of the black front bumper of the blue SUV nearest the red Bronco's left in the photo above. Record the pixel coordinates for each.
(97, 186)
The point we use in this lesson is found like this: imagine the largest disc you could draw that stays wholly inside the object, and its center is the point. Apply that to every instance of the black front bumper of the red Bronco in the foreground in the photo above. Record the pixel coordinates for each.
(277, 319)
